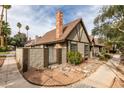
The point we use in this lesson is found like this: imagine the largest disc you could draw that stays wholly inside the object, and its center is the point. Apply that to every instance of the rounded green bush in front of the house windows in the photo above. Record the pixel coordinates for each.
(74, 57)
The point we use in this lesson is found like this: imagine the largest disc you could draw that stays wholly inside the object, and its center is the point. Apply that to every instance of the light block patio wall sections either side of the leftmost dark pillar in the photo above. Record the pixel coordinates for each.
(35, 57)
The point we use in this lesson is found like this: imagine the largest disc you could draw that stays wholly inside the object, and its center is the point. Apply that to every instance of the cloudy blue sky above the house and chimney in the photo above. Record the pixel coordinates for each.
(41, 18)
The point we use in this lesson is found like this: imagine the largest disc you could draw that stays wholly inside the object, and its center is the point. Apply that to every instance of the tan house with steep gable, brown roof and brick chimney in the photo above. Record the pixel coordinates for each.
(72, 36)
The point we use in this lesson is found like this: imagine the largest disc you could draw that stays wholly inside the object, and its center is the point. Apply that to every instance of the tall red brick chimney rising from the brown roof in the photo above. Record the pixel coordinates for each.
(59, 24)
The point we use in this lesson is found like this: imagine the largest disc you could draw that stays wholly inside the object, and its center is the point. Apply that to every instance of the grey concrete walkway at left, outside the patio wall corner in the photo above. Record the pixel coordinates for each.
(11, 77)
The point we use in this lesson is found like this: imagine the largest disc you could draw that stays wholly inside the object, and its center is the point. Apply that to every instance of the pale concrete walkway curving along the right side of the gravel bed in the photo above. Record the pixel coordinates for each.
(102, 78)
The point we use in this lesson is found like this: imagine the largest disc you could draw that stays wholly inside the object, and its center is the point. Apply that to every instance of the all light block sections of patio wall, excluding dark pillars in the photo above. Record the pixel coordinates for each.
(35, 57)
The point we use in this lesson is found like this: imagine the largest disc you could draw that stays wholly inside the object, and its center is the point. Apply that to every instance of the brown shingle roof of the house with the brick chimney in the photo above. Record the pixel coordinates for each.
(50, 37)
